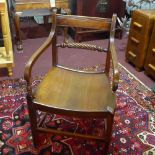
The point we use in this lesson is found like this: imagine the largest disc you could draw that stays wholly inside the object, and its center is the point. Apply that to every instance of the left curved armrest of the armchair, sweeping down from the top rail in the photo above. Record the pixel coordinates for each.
(36, 55)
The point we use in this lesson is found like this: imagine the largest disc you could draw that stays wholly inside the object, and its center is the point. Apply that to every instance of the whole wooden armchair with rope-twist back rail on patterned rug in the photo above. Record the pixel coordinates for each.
(67, 91)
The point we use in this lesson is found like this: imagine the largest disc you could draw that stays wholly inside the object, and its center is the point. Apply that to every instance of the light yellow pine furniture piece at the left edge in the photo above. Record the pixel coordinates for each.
(6, 52)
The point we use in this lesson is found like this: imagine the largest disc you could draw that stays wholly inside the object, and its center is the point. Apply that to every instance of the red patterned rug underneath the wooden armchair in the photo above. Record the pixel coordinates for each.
(133, 130)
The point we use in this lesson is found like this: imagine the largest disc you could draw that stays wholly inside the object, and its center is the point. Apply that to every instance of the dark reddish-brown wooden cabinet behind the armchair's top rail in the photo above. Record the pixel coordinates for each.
(89, 8)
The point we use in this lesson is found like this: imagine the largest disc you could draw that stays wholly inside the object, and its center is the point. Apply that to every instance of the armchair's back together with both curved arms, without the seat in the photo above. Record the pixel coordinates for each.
(96, 23)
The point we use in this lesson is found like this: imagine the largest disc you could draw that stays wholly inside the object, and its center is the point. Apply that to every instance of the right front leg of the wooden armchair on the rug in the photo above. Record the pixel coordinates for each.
(109, 133)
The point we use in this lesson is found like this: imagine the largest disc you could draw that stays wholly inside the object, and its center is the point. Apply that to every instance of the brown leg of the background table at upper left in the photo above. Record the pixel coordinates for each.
(18, 32)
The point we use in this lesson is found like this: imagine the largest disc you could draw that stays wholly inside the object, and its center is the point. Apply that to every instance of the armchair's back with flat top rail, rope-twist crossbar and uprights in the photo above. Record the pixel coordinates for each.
(85, 22)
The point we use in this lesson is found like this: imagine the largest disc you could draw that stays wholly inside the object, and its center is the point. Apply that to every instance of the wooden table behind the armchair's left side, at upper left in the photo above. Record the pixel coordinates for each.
(30, 8)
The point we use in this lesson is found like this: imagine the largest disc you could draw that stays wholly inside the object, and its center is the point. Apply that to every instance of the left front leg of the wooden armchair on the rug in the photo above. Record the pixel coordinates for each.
(33, 119)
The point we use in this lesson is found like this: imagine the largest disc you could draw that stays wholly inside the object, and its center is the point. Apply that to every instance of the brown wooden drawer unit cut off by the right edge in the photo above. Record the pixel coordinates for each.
(150, 58)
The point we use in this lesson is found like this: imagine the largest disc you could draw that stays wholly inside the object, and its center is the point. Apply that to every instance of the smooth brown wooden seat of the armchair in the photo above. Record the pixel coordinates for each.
(75, 91)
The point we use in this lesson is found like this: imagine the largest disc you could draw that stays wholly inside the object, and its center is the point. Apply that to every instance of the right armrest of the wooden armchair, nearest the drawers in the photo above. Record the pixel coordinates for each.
(115, 76)
